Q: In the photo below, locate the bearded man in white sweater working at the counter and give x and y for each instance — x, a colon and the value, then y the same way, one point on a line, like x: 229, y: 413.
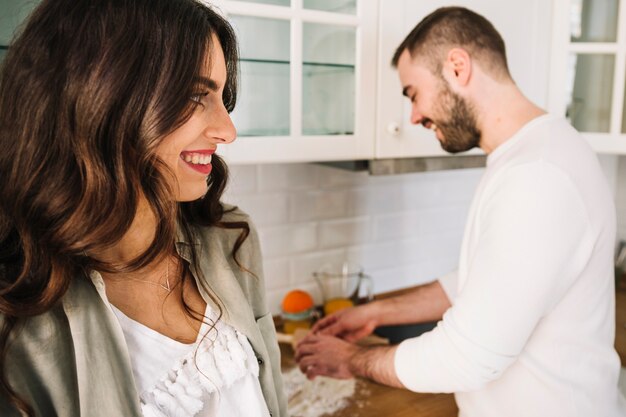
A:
x: 527, y: 321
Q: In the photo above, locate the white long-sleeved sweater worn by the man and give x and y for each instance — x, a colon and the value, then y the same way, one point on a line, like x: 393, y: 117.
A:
x: 531, y: 329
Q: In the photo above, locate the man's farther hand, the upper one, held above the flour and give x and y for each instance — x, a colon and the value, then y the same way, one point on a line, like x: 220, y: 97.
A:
x: 350, y: 324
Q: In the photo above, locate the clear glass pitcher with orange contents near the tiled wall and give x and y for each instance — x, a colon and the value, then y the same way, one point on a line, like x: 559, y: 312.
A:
x: 341, y: 285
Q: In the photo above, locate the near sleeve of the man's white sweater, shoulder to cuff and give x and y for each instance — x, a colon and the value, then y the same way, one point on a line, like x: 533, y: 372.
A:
x: 533, y: 239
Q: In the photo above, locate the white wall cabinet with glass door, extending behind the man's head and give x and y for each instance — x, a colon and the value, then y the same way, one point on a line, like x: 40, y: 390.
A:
x: 317, y: 84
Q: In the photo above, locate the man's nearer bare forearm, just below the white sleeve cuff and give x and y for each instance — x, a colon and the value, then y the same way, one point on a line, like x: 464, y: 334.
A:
x: 376, y: 363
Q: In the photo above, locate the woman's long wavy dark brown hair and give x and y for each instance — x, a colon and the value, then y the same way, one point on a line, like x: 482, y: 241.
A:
x: 88, y: 89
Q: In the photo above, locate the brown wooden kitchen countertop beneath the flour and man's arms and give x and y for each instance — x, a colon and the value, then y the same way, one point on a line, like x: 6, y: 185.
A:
x: 374, y: 400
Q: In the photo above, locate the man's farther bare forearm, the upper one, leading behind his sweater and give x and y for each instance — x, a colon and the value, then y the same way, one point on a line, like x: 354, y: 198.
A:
x: 425, y: 303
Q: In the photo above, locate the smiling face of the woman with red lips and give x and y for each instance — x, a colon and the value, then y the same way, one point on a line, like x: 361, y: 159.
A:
x: 187, y: 151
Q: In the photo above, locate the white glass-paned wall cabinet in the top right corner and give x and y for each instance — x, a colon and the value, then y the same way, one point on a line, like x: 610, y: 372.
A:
x: 589, y: 69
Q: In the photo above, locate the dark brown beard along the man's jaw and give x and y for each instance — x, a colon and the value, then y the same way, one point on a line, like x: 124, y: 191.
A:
x: 459, y: 131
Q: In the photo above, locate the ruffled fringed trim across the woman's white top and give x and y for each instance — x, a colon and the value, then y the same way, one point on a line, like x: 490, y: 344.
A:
x: 221, y: 358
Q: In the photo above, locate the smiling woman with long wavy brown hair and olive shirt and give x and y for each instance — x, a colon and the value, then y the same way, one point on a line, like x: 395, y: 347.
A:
x: 126, y: 287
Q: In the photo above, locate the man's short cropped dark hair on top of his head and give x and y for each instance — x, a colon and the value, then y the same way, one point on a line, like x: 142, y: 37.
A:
x: 449, y: 27
